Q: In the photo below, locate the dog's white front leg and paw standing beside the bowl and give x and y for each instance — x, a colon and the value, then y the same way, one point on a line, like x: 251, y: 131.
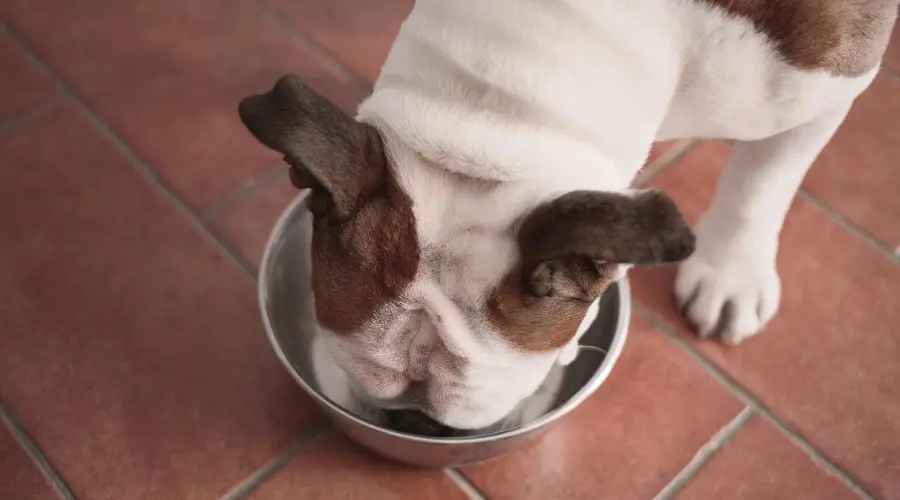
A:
x: 730, y: 287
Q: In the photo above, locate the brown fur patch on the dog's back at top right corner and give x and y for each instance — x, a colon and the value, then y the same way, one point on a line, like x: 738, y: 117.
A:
x: 842, y: 37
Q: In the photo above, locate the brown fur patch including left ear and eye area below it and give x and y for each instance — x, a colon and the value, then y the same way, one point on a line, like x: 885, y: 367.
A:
x: 365, y: 249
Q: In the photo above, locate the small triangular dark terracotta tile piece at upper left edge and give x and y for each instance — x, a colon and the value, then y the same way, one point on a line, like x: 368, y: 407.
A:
x: 23, y: 86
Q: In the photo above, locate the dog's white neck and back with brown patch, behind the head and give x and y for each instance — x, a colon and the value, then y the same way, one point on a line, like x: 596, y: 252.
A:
x: 618, y: 75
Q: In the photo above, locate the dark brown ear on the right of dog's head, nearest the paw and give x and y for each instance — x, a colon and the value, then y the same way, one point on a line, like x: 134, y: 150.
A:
x: 572, y: 245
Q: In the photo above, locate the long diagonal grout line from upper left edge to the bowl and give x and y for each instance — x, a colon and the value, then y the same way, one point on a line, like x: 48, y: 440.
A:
x: 139, y: 164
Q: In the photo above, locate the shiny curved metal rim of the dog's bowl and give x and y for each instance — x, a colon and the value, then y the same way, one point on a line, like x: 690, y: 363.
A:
x: 582, y: 394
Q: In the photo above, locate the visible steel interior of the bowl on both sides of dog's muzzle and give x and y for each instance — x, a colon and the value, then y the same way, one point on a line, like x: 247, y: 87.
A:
x: 288, y: 312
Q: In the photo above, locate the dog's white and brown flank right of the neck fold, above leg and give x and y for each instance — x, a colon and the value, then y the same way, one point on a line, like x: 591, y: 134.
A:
x: 752, y: 68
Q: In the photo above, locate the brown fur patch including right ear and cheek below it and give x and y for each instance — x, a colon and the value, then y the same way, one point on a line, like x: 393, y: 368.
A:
x: 570, y: 249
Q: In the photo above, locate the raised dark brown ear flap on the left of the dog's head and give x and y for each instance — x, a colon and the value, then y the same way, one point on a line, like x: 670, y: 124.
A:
x: 340, y: 159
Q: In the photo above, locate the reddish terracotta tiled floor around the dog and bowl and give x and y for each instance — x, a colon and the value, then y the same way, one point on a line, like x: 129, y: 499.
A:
x: 133, y: 364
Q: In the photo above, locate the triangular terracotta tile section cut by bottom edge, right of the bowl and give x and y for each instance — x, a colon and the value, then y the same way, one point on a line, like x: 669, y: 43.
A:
x: 760, y: 463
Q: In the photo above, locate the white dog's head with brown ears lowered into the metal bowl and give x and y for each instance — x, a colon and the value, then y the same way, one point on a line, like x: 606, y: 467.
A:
x: 451, y: 296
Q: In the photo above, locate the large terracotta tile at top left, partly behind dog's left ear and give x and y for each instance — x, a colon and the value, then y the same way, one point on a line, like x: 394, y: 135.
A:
x: 168, y: 75
